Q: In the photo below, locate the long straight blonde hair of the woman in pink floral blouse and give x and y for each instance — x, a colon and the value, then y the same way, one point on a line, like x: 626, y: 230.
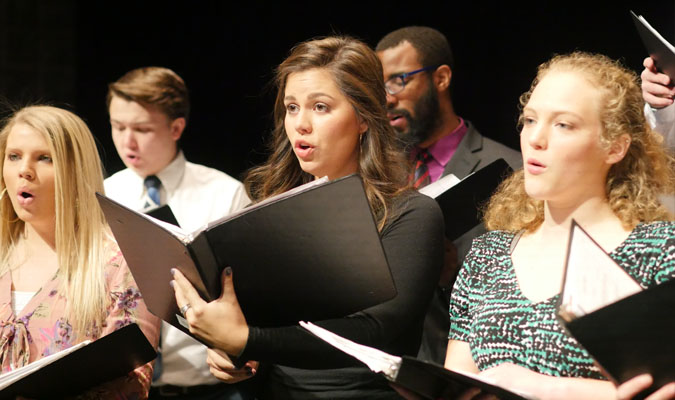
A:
x: 80, y: 229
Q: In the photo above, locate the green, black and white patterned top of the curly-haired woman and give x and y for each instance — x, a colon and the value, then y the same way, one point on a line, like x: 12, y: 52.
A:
x: 488, y: 310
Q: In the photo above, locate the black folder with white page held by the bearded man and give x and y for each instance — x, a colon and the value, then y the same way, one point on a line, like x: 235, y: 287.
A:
x: 461, y: 200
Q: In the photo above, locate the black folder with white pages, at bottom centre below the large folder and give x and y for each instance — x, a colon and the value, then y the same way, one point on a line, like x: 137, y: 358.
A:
x: 426, y: 379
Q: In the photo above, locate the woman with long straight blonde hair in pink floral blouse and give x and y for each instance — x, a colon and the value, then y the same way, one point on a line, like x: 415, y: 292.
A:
x: 62, y: 278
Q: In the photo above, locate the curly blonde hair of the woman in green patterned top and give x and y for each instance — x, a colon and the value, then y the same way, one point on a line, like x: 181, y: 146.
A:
x: 633, y: 185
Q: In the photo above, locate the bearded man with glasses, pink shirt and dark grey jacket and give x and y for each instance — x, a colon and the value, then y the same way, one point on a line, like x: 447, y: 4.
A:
x: 417, y: 63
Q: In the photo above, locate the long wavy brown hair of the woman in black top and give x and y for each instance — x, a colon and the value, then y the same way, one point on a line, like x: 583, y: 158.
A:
x: 357, y: 73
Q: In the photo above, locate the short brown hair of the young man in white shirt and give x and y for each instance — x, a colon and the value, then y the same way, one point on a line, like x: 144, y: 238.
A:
x: 154, y: 86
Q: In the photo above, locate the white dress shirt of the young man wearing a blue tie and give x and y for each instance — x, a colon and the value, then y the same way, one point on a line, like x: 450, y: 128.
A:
x: 197, y: 195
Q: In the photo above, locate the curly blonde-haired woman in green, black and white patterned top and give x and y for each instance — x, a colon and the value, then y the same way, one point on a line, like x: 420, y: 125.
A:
x: 588, y: 155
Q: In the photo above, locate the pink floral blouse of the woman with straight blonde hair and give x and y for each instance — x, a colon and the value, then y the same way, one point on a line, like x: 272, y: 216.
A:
x: 43, y: 328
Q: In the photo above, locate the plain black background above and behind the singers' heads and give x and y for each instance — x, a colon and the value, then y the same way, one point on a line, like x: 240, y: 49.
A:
x: 65, y: 52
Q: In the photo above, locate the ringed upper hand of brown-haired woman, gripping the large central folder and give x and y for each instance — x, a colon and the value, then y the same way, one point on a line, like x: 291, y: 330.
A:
x: 220, y: 323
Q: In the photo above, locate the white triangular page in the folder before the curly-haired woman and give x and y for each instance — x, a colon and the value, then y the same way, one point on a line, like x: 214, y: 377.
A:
x: 593, y: 280
